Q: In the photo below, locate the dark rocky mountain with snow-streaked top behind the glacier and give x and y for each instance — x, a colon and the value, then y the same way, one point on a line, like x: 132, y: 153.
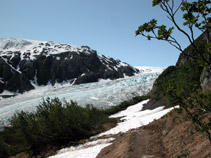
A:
x: 26, y: 63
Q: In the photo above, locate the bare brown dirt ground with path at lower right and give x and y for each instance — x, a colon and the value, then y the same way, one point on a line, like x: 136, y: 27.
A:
x: 172, y: 136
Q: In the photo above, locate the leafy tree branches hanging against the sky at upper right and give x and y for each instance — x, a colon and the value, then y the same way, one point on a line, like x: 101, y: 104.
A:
x: 196, y: 16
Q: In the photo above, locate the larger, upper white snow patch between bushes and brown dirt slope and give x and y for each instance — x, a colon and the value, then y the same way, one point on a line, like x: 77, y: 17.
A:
x: 133, y: 118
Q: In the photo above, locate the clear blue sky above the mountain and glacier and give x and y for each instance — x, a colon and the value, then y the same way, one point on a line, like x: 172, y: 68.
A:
x: 107, y: 26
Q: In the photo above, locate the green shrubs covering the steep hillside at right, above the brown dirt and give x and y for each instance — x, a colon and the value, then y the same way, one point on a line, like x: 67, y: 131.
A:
x: 181, y: 86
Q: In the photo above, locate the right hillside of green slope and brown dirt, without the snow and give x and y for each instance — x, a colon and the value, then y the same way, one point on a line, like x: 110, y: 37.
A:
x: 184, y: 132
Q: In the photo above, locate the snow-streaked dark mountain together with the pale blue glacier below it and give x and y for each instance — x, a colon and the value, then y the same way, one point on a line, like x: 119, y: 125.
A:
x: 48, y: 69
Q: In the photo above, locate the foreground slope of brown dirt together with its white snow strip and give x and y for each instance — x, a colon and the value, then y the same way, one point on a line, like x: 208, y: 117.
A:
x: 171, y: 136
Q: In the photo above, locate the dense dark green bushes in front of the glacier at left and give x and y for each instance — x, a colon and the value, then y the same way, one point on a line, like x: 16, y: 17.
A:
x: 55, y: 123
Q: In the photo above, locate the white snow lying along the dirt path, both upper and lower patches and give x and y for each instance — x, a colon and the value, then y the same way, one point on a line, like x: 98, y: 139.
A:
x: 132, y: 118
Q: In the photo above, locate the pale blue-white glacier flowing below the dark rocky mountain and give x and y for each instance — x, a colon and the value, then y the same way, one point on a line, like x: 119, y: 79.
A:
x: 102, y: 94
